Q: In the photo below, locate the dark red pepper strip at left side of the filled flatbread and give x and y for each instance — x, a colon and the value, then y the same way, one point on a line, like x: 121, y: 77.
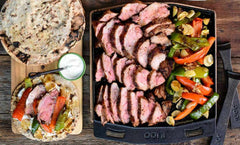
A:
x: 19, y: 111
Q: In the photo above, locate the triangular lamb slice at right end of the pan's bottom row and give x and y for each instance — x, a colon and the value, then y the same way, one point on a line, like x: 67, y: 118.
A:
x: 157, y: 116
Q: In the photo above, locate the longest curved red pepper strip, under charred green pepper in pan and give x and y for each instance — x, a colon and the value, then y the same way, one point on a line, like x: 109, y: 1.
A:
x: 196, y: 56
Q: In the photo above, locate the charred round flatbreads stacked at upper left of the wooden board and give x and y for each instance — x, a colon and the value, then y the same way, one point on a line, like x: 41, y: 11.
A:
x: 37, y: 32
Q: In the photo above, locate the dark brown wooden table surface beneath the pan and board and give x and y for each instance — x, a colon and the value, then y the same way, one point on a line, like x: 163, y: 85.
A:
x: 228, y: 29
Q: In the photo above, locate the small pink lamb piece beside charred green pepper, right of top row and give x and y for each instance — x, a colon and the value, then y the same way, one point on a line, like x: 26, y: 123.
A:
x: 160, y: 39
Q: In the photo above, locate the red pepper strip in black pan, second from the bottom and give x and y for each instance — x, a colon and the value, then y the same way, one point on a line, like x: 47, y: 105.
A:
x: 200, y: 99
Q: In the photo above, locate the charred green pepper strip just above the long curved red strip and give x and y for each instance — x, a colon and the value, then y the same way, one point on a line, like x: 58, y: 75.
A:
x: 192, y: 43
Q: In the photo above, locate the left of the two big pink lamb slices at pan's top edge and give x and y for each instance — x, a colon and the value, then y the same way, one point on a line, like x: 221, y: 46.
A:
x: 131, y: 9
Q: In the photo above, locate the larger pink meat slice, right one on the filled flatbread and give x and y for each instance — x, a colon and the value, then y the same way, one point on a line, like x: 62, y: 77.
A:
x: 46, y: 107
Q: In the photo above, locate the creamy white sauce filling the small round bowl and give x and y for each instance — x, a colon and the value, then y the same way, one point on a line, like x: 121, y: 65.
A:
x: 73, y: 64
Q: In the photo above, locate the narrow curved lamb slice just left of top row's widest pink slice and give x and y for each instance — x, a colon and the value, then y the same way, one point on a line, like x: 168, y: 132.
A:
x: 115, y: 38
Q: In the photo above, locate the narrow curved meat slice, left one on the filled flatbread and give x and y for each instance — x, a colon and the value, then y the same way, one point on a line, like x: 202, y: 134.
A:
x: 36, y: 93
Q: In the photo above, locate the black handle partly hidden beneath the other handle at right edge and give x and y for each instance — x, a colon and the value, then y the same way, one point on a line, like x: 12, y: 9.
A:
x: 225, y: 52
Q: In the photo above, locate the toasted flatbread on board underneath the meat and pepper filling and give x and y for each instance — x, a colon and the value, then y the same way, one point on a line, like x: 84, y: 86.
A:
x: 72, y: 102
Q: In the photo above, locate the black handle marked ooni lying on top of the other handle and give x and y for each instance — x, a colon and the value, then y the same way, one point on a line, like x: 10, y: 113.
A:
x: 233, y: 80
